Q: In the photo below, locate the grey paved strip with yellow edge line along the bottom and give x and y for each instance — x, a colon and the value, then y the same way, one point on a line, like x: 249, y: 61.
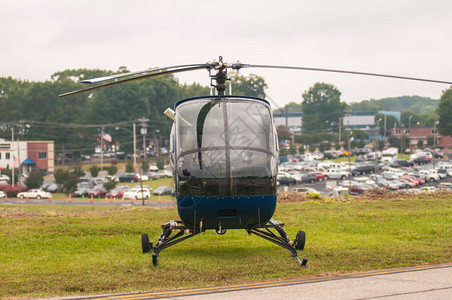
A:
x: 423, y: 282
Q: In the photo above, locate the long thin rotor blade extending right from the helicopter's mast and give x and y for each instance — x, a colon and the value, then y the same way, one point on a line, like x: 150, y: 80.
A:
x: 341, y: 71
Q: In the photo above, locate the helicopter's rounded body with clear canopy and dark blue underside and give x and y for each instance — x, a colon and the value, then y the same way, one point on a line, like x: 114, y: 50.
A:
x: 224, y: 151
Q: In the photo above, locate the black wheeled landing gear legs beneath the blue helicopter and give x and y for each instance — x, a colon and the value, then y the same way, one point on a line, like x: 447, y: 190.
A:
x: 166, y: 240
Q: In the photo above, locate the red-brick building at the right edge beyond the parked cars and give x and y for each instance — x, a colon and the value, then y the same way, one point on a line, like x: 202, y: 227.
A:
x: 428, y: 135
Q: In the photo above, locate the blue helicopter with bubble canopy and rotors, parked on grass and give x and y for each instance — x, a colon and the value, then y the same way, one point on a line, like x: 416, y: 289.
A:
x: 224, y: 154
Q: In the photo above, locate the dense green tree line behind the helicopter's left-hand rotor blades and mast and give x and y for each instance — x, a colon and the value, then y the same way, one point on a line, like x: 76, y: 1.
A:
x: 35, y: 112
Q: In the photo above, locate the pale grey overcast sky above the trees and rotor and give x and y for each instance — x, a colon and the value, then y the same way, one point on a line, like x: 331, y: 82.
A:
x: 408, y: 38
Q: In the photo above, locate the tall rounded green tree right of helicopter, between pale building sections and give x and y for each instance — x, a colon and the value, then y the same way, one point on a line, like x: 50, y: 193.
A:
x: 321, y: 103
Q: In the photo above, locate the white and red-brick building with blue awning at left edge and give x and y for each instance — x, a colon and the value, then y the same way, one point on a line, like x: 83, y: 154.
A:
x: 30, y: 154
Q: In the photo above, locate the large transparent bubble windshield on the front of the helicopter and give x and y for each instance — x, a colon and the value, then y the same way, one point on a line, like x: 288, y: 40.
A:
x: 225, y: 146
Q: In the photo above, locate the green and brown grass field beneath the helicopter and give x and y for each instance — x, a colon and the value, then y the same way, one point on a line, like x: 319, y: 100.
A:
x: 76, y: 251
